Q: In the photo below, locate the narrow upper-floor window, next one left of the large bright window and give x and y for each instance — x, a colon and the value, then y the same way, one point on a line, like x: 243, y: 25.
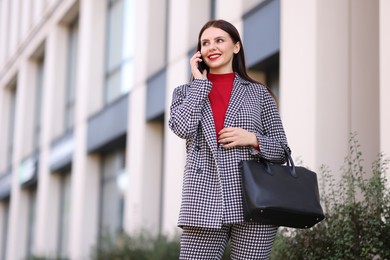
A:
x: 71, y: 76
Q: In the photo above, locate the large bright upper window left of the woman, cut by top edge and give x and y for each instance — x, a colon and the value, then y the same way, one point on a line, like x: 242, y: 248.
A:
x: 119, y: 49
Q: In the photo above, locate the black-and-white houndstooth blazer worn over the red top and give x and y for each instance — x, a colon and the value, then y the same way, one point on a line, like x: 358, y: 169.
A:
x: 211, y: 195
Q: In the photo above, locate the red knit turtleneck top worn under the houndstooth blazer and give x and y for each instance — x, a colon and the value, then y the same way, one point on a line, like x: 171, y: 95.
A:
x: 219, y: 97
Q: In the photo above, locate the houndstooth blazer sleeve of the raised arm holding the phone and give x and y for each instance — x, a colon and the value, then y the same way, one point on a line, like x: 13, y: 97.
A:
x: 186, y: 107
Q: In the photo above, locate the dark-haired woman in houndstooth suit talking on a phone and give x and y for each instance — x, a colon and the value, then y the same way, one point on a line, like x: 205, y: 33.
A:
x: 225, y: 117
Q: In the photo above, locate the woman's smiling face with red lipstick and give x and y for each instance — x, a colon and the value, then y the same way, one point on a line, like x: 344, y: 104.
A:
x: 218, y: 49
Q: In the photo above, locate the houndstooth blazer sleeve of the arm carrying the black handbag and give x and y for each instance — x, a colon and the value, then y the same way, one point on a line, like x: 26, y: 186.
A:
x: 272, y: 138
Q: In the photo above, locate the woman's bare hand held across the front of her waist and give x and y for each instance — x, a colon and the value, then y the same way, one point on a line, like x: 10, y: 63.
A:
x: 234, y: 136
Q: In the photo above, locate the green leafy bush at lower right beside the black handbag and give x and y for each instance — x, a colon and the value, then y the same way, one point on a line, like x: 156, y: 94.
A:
x: 357, y: 223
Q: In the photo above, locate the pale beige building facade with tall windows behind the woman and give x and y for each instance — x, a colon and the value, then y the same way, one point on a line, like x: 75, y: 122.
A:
x: 85, y: 90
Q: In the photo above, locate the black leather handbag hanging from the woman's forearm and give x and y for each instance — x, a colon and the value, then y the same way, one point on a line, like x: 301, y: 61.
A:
x: 280, y: 195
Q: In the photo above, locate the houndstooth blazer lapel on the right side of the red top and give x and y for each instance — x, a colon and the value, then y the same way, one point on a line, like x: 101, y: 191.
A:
x: 236, y: 100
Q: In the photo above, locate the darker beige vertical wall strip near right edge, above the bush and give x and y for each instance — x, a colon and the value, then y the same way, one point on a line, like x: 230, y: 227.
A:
x: 364, y: 77
